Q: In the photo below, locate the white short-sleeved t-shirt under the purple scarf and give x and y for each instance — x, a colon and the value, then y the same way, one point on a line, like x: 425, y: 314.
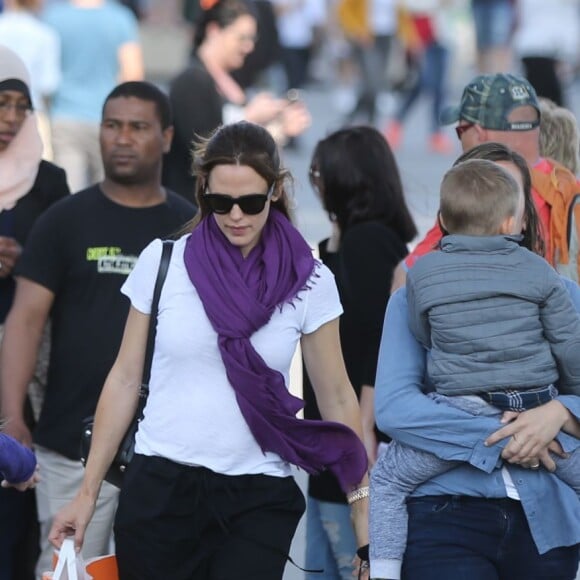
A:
x: 192, y: 416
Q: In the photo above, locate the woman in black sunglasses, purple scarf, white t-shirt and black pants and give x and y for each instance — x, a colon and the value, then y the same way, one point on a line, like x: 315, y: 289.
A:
x: 209, y: 493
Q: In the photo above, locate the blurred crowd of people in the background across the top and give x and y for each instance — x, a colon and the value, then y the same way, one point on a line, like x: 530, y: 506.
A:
x: 382, y: 56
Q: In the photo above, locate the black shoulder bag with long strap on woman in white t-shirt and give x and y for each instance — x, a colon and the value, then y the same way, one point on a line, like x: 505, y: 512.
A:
x: 126, y: 449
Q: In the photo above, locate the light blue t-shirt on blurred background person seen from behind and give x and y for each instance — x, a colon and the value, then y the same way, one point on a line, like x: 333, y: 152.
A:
x: 90, y: 40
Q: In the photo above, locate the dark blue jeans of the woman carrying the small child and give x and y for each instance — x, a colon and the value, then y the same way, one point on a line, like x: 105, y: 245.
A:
x: 467, y: 538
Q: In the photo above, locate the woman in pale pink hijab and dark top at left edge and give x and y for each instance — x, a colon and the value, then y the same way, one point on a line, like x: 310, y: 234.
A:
x: 28, y: 186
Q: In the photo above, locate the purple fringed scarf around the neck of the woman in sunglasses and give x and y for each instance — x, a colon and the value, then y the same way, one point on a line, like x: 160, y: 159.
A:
x: 239, y: 296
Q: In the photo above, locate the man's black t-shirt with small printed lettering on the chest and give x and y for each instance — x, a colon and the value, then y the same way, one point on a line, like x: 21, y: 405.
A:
x: 82, y: 249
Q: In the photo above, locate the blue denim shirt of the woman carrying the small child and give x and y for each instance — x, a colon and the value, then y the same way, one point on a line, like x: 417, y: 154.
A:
x: 402, y: 411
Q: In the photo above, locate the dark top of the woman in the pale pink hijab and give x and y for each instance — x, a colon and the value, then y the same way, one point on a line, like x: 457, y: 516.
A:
x: 50, y: 186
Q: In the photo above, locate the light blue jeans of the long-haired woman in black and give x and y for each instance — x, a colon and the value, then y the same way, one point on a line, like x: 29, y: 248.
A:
x: 330, y: 541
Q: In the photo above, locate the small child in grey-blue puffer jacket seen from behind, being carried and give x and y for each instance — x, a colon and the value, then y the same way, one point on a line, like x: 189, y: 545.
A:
x: 500, y: 329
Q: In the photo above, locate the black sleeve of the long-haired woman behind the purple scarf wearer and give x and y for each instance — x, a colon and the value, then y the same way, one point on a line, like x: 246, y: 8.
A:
x: 369, y: 254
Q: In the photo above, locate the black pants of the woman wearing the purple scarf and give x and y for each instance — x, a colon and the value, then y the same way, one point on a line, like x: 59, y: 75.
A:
x: 189, y: 523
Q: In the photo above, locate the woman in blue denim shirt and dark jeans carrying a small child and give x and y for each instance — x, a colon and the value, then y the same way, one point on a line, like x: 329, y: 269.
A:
x: 478, y: 521
